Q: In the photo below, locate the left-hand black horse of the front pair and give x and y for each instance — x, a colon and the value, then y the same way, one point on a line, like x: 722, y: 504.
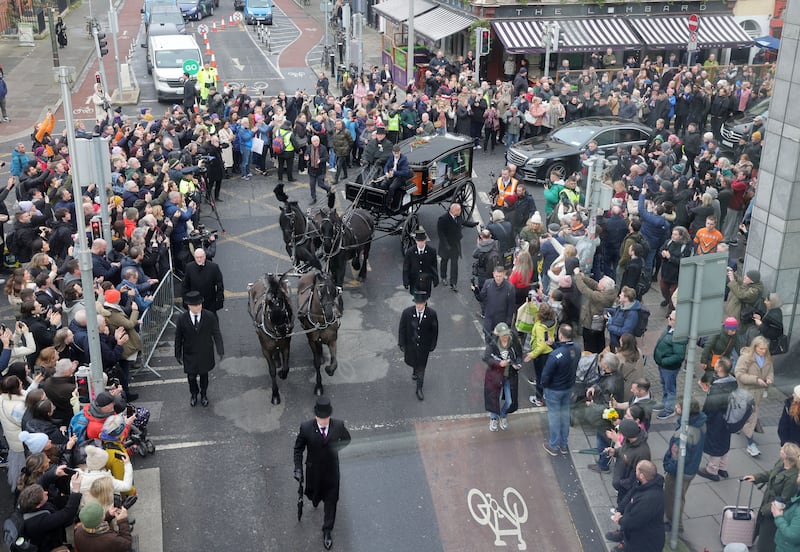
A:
x: 272, y: 314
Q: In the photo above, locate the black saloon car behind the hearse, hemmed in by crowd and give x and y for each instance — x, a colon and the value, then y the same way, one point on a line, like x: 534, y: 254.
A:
x: 536, y: 157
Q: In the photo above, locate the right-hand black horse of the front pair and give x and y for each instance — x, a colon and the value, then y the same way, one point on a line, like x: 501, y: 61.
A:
x: 319, y: 309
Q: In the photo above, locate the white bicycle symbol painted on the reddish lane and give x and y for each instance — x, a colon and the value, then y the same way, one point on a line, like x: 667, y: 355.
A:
x: 505, y: 520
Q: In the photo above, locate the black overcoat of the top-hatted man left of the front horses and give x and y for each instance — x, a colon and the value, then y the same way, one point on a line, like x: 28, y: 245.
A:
x: 195, y: 347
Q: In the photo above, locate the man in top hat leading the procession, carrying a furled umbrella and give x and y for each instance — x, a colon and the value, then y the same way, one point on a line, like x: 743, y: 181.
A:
x: 322, y: 438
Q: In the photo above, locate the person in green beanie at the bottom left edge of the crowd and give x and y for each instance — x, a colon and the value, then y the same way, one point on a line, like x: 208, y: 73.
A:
x: 95, y: 534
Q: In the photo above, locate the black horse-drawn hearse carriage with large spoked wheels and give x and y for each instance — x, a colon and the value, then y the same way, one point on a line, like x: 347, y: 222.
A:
x: 442, y: 167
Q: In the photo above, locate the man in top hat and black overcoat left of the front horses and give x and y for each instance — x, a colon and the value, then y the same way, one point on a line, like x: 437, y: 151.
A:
x: 196, y: 336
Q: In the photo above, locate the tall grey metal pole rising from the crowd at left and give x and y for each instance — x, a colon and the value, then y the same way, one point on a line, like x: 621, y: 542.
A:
x: 65, y: 77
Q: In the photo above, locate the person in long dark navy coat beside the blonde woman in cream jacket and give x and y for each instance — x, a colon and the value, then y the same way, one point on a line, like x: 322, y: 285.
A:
x: 718, y: 435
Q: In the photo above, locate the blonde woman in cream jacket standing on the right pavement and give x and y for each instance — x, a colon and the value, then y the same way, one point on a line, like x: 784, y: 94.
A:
x: 754, y: 372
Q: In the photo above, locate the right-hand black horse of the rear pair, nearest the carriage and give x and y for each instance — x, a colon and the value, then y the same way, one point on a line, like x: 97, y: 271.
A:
x: 343, y: 238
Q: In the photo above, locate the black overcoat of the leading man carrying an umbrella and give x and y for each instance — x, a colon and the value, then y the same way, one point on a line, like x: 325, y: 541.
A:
x: 322, y: 458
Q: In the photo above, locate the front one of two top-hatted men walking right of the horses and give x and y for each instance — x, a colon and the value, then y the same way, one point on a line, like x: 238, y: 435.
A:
x: 417, y: 336
